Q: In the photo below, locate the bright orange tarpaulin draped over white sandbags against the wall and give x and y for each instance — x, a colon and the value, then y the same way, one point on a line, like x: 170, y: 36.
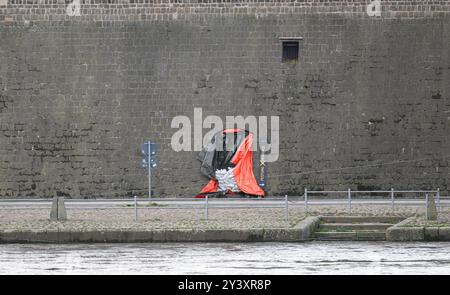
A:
x: 243, y: 170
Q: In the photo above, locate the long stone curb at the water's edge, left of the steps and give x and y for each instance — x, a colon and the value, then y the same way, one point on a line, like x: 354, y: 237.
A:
x: 301, y: 232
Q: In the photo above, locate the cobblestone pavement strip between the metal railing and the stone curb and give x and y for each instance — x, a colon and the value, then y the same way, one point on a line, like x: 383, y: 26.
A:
x: 154, y: 218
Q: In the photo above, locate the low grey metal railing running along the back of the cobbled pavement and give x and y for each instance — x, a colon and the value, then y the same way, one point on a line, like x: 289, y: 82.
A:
x: 345, y: 197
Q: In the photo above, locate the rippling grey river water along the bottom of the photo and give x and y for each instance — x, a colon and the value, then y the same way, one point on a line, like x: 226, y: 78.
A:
x: 227, y: 258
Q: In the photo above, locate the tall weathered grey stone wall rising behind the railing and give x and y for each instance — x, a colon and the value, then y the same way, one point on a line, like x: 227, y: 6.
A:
x: 78, y: 94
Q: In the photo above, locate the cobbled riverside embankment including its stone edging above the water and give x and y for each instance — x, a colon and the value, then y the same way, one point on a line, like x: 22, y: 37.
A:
x: 183, y: 225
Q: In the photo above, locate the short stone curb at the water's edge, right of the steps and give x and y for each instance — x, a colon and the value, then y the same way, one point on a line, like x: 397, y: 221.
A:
x: 401, y: 233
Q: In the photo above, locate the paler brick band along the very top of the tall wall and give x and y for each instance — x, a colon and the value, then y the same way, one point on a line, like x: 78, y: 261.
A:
x: 133, y: 10
